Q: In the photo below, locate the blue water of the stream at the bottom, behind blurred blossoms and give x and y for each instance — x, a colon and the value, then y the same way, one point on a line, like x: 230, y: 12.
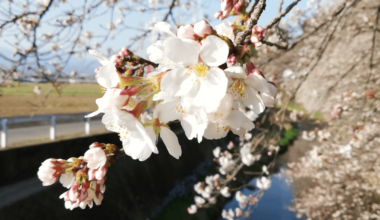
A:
x: 273, y: 204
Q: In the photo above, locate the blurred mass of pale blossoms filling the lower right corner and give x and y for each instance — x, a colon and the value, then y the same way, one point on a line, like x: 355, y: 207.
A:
x: 343, y: 168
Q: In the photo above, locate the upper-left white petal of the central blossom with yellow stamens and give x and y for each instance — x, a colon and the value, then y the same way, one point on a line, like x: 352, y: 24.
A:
x: 181, y: 51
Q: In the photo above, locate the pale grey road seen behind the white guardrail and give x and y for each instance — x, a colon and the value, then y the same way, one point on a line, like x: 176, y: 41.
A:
x: 42, y: 131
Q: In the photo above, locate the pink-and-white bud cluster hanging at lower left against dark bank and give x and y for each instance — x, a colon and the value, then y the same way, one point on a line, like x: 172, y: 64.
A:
x: 84, y: 176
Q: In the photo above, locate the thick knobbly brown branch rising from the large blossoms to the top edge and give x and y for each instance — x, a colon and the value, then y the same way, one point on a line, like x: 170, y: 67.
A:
x: 252, y: 21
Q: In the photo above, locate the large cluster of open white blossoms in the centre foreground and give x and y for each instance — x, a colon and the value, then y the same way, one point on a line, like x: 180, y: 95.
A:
x: 193, y: 83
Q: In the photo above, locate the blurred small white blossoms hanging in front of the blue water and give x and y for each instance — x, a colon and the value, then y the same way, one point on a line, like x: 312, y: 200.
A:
x: 231, y: 161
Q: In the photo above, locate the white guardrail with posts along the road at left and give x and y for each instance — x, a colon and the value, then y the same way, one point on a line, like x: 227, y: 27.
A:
x: 40, y: 118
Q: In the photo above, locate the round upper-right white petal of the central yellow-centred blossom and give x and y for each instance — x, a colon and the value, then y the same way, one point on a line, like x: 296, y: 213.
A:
x: 214, y: 51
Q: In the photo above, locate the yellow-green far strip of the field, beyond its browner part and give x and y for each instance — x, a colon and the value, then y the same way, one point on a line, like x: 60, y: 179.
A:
x: 67, y: 89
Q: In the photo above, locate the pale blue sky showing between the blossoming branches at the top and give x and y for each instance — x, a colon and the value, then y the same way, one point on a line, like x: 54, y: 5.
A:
x: 137, y: 20
